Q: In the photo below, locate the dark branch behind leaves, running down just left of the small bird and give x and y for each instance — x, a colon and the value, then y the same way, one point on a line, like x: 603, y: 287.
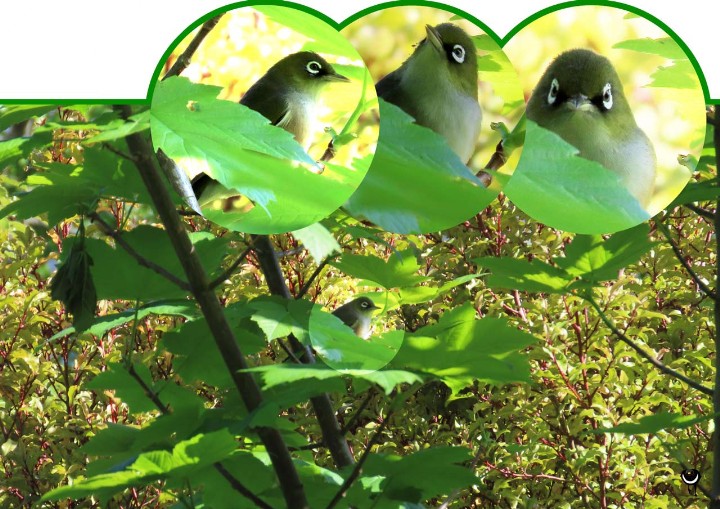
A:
x: 336, y: 443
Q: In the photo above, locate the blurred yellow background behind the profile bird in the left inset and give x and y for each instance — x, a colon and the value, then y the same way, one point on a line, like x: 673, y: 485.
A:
x: 246, y: 43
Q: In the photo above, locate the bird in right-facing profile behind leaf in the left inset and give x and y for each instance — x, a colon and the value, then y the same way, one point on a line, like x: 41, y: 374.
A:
x: 287, y: 95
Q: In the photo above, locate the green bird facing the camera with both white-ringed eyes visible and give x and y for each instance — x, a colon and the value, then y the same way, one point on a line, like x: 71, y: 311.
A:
x: 581, y: 99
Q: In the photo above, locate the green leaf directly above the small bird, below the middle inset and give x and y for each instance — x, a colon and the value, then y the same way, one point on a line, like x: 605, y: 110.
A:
x: 401, y: 269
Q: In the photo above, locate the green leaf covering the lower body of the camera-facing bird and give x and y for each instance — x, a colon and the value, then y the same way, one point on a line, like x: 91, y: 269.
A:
x: 553, y: 185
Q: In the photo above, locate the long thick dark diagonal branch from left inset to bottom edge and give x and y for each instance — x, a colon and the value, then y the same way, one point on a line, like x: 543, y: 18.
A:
x: 141, y: 150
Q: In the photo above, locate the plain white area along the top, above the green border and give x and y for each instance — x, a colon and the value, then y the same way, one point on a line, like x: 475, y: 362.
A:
x: 90, y: 49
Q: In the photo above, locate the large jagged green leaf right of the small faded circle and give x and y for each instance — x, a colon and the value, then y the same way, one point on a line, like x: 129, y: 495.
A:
x: 459, y: 349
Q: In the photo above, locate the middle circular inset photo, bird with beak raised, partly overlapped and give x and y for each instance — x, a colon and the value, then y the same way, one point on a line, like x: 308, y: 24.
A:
x: 450, y: 131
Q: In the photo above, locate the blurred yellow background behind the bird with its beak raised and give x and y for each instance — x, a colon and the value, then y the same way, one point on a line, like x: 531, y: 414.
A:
x: 386, y: 38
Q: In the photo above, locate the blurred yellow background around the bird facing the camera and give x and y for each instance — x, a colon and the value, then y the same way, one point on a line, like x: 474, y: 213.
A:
x: 674, y: 119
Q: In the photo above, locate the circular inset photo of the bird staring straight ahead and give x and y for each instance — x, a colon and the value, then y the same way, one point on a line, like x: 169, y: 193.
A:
x: 615, y: 117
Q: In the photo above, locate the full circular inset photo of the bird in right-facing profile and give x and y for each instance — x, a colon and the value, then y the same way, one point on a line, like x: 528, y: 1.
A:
x: 258, y: 108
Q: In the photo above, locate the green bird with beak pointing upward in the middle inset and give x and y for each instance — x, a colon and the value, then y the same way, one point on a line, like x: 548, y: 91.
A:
x: 438, y: 86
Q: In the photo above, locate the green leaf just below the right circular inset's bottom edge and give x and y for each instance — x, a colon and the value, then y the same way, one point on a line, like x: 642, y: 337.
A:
x: 596, y: 259
